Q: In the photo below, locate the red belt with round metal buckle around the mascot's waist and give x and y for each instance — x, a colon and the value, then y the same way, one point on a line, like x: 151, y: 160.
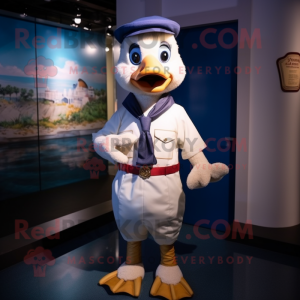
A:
x: 146, y: 172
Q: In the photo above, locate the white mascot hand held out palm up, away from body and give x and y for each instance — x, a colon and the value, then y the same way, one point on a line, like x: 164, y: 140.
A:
x: 203, y: 172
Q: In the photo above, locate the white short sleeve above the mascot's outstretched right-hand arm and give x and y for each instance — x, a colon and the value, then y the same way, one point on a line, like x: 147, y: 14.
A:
x: 189, y: 139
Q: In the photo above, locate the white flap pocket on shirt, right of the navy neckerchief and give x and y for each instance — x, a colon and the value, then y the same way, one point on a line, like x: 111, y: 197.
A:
x: 164, y: 143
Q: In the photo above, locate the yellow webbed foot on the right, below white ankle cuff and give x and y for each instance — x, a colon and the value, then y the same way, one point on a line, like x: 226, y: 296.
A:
x: 171, y: 291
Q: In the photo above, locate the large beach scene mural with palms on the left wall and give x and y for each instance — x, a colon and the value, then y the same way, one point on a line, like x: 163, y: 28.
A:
x: 52, y: 97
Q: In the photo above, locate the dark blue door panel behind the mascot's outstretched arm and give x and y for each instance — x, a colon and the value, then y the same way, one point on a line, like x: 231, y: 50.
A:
x: 209, y: 95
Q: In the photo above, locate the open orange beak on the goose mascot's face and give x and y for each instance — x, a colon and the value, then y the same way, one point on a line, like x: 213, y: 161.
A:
x: 151, y: 76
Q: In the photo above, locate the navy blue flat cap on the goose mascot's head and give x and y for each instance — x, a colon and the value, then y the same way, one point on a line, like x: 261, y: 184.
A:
x: 147, y: 24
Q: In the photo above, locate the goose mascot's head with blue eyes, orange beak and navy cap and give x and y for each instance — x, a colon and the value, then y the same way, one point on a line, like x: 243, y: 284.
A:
x: 149, y: 63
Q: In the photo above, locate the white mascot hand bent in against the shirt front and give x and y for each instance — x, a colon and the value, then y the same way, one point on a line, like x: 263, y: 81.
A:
x: 115, y: 147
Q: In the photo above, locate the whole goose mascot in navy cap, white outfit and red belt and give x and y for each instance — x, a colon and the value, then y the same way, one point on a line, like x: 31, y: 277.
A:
x: 143, y: 136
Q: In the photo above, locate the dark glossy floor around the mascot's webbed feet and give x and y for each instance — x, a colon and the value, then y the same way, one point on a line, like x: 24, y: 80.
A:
x: 214, y: 268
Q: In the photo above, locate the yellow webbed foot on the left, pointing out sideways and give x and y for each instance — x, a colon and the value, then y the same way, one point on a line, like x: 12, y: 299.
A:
x: 117, y: 285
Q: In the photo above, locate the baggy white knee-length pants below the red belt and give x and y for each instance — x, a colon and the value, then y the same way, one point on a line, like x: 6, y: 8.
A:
x: 155, y: 205
